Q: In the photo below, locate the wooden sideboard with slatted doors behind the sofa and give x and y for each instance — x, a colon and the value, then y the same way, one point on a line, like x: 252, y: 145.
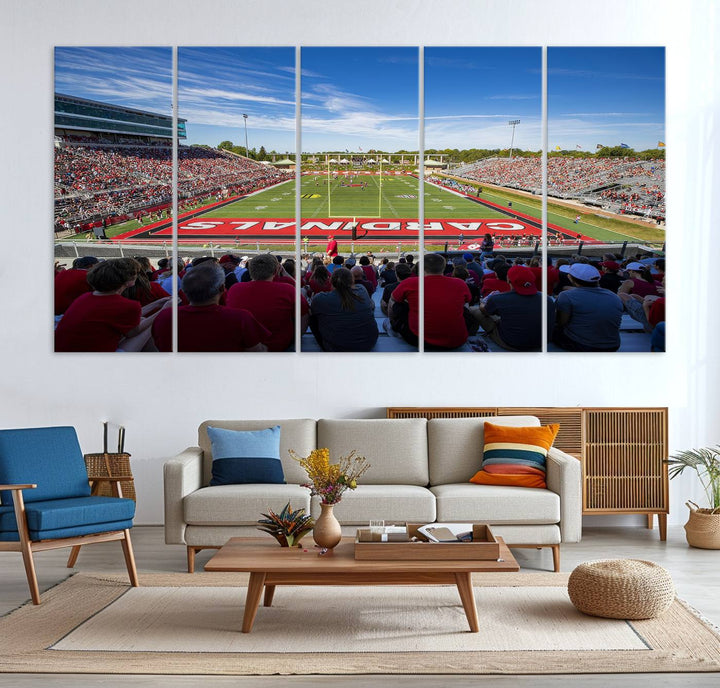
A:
x: 622, y: 451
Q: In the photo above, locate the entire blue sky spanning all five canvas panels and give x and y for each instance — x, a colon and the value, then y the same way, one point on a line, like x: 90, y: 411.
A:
x: 355, y: 98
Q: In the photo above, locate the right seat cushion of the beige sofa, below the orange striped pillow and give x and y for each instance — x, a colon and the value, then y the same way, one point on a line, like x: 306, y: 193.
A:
x: 496, y: 504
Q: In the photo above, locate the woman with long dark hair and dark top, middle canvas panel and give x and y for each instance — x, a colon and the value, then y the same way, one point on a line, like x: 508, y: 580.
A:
x: 343, y: 319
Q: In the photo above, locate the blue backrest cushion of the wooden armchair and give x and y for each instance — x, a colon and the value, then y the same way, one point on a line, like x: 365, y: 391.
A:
x: 48, y: 457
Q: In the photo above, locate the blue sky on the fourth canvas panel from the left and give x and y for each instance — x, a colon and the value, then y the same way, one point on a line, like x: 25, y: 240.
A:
x: 472, y: 93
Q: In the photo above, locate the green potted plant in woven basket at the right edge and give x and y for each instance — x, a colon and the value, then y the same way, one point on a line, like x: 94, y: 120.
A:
x: 703, y: 527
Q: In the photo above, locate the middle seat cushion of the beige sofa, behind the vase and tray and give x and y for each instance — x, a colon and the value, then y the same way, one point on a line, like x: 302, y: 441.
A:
x: 382, y: 502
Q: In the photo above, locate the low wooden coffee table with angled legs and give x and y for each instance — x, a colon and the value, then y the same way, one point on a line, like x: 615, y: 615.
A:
x: 270, y: 565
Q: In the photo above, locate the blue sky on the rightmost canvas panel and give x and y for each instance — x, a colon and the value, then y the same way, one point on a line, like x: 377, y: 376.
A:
x: 606, y: 96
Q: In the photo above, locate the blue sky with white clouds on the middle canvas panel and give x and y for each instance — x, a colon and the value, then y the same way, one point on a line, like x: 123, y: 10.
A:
x: 359, y: 98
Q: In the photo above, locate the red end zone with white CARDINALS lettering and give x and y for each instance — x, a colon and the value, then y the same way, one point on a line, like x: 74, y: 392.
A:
x: 368, y: 230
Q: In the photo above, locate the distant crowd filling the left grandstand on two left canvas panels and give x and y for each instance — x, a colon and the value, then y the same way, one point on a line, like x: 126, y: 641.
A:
x: 93, y: 183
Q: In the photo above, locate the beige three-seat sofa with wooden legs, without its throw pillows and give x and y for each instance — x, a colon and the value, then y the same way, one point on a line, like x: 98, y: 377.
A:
x: 419, y: 472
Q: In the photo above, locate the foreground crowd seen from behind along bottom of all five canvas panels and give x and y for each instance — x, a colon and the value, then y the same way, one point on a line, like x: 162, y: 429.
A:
x: 238, y: 303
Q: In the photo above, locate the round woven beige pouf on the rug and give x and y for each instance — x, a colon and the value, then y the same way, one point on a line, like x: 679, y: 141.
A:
x: 621, y: 589
